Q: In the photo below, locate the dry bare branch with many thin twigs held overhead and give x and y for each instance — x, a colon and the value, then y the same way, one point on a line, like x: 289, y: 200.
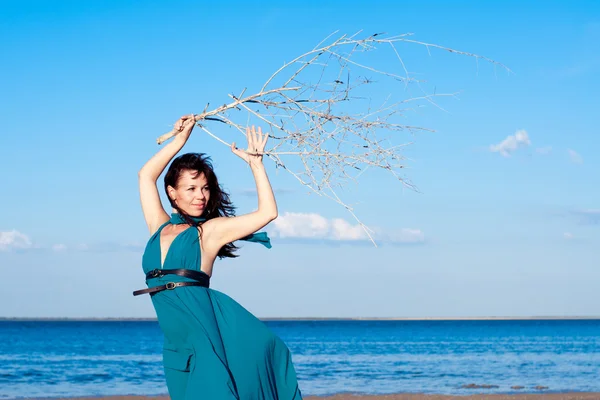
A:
x: 318, y: 109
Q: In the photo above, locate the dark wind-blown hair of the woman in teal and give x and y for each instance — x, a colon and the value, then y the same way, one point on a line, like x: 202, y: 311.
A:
x: 219, y: 204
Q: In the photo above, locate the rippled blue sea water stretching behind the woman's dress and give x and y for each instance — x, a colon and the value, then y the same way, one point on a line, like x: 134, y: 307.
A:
x: 70, y: 358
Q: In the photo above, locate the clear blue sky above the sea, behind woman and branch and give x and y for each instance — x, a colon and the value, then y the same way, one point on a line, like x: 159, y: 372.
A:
x: 506, y: 221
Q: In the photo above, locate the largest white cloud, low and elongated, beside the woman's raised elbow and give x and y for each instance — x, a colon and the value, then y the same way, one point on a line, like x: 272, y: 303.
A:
x: 314, y: 226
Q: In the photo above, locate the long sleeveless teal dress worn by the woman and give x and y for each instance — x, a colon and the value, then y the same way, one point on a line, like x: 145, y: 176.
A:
x: 214, y: 349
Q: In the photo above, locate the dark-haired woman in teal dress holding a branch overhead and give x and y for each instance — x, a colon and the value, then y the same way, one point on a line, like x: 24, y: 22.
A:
x: 214, y: 349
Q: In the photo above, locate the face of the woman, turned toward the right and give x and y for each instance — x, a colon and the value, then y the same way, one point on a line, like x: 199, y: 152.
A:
x: 191, y: 194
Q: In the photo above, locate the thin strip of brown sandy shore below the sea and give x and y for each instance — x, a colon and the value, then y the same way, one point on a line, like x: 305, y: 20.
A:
x: 400, y: 396
